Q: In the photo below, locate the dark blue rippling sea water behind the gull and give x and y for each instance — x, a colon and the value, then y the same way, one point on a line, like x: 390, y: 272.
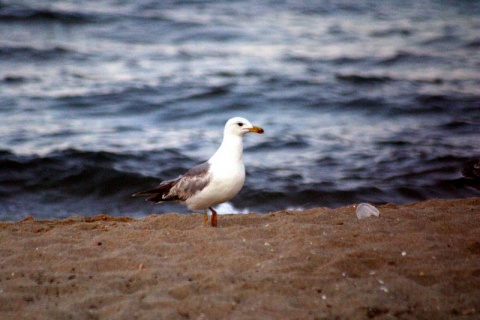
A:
x: 361, y: 101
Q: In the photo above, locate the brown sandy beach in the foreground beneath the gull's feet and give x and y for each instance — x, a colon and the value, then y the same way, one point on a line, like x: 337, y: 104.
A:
x: 418, y: 261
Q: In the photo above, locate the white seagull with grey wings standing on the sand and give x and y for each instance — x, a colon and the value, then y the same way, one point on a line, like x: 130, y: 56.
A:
x: 213, y: 182
